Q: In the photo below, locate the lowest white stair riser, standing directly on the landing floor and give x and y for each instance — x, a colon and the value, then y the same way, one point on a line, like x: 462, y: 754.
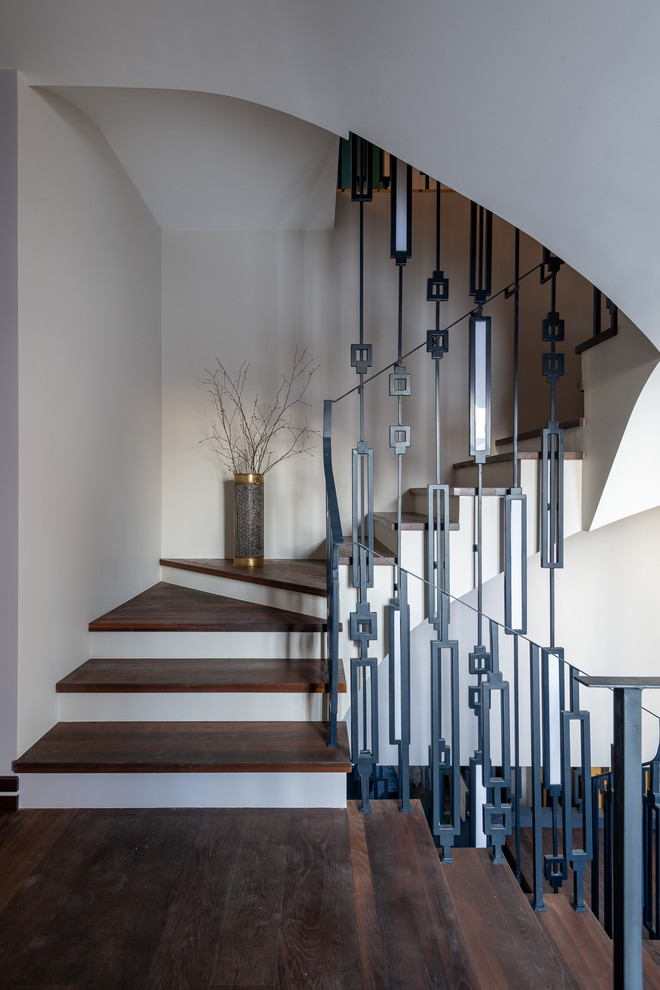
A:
x: 183, y: 790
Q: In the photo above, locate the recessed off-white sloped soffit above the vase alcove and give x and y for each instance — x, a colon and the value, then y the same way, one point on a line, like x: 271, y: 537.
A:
x: 207, y: 162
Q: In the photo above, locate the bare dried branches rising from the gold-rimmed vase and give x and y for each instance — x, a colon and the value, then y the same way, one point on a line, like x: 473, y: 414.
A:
x: 250, y: 436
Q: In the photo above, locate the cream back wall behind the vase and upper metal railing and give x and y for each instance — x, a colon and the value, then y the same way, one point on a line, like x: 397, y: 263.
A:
x: 243, y: 295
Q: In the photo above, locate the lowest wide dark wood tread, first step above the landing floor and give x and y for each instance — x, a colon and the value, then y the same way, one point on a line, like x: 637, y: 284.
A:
x: 180, y: 747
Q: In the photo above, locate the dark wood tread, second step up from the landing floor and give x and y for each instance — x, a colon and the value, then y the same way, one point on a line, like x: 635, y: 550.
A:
x: 216, y: 674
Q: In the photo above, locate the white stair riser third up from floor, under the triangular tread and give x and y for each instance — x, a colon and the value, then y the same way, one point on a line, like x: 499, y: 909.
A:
x: 166, y: 645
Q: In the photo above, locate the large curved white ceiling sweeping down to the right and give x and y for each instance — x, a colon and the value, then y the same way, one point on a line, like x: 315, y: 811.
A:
x: 543, y: 112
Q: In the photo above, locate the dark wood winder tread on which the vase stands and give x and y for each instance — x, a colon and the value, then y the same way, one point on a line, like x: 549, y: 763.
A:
x: 307, y: 576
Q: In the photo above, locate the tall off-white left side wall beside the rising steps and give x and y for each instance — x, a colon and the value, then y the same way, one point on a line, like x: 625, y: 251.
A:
x: 89, y: 394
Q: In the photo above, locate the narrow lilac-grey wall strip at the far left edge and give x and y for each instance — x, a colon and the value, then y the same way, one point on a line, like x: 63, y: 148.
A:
x: 8, y: 416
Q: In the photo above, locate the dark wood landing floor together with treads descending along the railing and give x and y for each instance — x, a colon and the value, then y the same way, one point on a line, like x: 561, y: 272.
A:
x: 201, y: 899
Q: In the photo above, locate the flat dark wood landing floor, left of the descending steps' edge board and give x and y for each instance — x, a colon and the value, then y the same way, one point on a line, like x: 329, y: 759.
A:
x: 181, y: 899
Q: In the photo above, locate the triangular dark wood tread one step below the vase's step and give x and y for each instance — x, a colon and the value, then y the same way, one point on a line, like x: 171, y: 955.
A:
x: 169, y: 607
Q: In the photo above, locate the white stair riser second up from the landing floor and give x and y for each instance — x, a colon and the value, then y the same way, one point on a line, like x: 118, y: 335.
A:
x: 191, y: 707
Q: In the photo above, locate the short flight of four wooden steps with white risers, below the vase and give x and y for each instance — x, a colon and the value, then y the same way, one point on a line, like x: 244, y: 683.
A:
x: 197, y: 698
